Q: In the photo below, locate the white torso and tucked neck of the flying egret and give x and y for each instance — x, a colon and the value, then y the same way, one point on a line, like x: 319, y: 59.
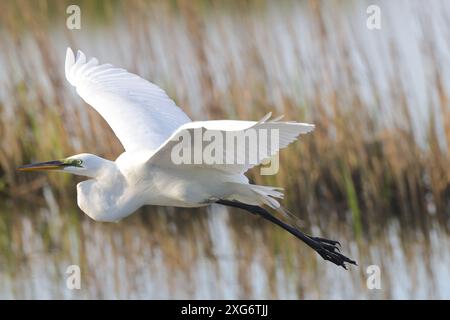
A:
x: 123, y: 186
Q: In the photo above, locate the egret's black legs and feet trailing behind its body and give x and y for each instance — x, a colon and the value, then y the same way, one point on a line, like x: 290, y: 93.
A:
x: 327, y: 249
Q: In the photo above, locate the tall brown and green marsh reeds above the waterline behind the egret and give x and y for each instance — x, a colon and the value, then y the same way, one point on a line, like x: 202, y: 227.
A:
x: 376, y: 152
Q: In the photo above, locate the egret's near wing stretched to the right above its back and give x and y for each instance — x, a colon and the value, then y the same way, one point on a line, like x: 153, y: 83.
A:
x: 244, y: 155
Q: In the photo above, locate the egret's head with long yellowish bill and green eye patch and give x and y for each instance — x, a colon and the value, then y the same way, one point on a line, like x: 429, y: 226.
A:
x: 83, y: 164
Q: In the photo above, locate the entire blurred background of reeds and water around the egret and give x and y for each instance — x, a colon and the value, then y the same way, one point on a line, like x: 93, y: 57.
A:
x: 374, y: 174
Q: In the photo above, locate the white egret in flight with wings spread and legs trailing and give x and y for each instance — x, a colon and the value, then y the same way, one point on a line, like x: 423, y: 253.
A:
x: 145, y: 120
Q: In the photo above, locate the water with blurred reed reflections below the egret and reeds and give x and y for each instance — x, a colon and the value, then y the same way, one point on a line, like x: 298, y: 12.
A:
x: 163, y: 253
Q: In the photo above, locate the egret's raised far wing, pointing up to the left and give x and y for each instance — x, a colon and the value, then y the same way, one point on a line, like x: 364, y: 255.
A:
x: 140, y: 113
